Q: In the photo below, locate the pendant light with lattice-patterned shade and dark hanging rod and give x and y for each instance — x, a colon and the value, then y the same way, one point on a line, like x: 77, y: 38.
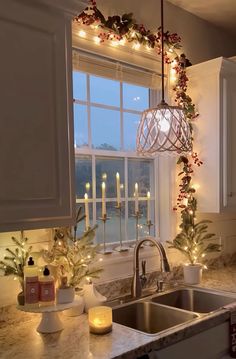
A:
x: 163, y: 128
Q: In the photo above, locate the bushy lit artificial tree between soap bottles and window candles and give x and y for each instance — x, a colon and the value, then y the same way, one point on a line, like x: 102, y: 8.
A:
x: 74, y: 255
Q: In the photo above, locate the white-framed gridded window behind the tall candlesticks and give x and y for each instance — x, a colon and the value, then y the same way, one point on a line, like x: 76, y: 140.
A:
x: 106, y: 115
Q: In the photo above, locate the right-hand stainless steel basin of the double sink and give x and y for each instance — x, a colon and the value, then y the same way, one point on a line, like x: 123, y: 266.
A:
x: 194, y: 300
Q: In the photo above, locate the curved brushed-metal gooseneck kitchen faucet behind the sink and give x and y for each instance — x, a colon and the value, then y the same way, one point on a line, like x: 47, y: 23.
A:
x: 136, y: 289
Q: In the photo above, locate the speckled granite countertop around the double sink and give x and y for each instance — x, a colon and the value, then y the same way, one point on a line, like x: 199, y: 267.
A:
x: 19, y: 339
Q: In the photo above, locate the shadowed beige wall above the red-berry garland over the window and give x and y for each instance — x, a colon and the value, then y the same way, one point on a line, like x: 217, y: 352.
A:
x: 201, y: 41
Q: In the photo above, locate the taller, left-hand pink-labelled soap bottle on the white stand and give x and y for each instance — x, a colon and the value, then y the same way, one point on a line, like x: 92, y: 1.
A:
x: 31, y: 284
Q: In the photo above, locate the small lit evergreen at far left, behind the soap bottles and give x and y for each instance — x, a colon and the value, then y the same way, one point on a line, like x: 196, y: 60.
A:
x: 15, y: 260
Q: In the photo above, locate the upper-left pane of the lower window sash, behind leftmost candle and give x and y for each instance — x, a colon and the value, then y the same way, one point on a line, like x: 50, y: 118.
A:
x: 83, y: 175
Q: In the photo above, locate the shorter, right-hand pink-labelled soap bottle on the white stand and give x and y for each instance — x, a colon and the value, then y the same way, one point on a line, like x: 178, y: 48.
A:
x: 46, y: 288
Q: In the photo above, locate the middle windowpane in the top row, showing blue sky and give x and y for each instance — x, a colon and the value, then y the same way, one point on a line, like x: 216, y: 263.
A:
x: 104, y: 91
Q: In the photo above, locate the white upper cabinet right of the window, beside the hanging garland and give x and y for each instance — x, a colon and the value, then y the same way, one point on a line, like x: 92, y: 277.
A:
x: 212, y: 86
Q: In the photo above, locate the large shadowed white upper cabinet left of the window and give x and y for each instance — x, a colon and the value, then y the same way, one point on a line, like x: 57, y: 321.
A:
x: 36, y: 129
